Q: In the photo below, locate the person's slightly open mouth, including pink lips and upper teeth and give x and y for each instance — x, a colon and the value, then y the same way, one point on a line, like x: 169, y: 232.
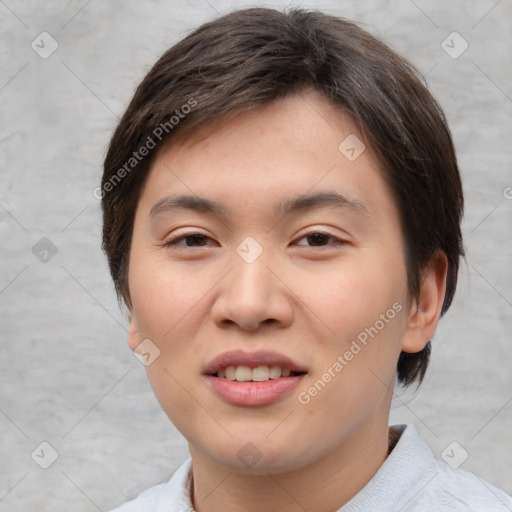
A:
x: 253, y: 378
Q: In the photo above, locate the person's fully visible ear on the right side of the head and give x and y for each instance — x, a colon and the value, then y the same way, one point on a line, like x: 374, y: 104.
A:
x: 426, y: 310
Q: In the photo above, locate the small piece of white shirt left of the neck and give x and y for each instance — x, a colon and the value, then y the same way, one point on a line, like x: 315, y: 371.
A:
x: 172, y: 495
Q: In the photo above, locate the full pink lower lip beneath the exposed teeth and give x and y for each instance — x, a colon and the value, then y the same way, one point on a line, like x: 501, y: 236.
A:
x: 252, y: 394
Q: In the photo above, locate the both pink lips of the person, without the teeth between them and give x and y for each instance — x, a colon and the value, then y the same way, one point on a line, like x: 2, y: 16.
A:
x: 252, y: 394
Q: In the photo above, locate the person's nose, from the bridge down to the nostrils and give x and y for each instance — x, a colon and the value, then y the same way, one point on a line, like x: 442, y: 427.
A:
x: 252, y: 295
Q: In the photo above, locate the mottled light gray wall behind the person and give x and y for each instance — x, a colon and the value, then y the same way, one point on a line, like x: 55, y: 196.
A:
x: 67, y: 376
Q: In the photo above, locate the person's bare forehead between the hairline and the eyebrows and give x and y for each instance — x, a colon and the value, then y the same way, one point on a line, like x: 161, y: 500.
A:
x: 293, y: 146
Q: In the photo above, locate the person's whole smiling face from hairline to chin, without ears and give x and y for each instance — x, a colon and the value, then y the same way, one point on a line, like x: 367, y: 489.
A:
x: 302, y: 302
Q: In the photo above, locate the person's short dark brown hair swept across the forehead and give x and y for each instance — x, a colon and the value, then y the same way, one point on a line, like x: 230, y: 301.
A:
x: 250, y: 57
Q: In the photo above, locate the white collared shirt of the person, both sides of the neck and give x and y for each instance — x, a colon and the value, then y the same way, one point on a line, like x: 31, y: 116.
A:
x: 409, y: 480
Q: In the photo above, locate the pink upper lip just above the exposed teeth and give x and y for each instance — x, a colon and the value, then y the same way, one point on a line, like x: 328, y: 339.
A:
x: 251, y: 359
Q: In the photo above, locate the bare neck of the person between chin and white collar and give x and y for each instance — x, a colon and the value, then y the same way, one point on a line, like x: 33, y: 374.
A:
x: 336, y: 477
